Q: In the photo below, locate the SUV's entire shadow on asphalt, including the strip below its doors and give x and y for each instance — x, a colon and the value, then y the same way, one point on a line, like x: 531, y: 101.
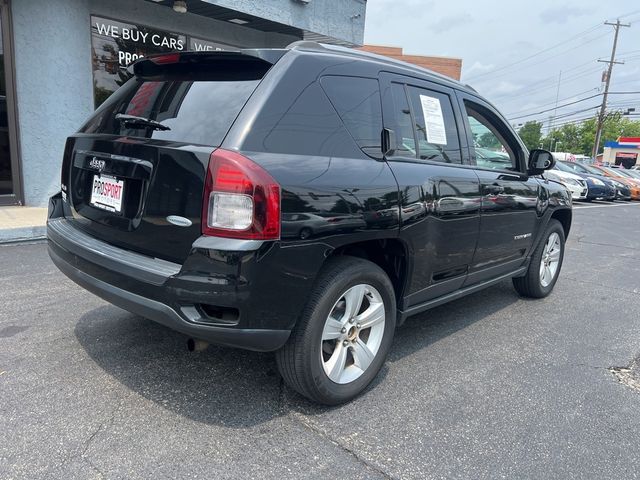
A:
x: 236, y: 388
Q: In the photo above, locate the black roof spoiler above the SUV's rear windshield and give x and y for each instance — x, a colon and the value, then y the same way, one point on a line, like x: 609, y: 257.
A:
x: 251, y: 63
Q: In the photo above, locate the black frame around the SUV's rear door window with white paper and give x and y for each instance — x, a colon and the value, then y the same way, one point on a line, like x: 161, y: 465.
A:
x: 388, y: 115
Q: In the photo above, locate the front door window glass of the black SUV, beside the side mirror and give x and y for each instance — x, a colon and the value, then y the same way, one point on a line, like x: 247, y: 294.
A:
x: 491, y: 148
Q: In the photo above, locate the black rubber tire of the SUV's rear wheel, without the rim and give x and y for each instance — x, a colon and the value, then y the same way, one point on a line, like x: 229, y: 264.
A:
x: 300, y: 360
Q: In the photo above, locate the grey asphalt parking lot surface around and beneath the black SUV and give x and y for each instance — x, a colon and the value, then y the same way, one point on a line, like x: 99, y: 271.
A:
x: 490, y: 386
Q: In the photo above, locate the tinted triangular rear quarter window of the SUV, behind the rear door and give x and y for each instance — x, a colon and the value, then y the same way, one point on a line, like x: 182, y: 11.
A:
x: 357, y: 101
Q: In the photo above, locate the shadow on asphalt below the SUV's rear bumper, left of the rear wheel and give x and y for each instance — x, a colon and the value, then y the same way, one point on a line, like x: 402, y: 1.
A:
x: 224, y: 386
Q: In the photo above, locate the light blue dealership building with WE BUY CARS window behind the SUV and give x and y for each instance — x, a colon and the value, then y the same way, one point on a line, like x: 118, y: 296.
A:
x: 61, y: 58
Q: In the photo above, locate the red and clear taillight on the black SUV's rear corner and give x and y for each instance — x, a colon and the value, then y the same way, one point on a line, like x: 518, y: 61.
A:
x: 241, y: 200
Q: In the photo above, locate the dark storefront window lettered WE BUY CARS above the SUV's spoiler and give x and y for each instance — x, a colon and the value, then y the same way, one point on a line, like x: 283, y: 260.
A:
x: 115, y: 45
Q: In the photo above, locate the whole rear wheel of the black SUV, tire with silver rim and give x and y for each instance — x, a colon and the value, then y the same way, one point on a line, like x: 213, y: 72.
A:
x: 343, y: 337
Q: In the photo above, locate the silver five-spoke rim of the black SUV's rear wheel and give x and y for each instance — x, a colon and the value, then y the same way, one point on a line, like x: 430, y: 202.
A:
x: 352, y: 334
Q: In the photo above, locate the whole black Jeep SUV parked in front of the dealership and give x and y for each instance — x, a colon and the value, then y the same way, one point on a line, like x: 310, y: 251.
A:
x: 304, y: 200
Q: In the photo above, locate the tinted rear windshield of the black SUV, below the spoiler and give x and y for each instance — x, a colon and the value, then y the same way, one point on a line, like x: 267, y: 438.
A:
x: 200, y: 111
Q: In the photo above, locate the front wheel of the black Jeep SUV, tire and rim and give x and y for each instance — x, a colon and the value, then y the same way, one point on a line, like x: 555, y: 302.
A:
x: 545, y: 265
